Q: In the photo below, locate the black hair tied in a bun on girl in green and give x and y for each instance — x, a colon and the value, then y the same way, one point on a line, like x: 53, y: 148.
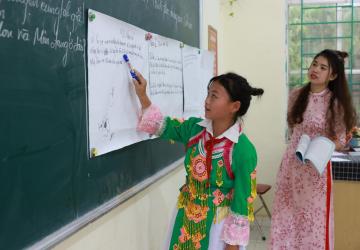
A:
x: 238, y: 89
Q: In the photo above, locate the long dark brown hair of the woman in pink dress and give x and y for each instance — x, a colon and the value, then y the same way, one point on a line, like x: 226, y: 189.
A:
x: 340, y: 92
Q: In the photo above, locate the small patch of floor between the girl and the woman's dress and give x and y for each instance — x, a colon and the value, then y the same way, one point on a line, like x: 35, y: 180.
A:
x: 256, y: 242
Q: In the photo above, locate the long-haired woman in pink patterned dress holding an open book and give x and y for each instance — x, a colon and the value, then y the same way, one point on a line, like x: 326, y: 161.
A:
x: 302, y: 212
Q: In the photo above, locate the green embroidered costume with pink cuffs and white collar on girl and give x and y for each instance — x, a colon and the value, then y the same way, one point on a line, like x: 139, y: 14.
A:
x: 220, y: 182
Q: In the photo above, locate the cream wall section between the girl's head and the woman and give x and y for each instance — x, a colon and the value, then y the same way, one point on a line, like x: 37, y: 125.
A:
x: 254, y: 46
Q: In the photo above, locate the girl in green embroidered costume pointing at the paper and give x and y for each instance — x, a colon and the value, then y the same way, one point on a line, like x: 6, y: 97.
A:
x: 215, y: 203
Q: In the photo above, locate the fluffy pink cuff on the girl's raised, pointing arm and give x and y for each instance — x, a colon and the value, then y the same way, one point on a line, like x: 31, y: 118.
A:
x: 151, y: 120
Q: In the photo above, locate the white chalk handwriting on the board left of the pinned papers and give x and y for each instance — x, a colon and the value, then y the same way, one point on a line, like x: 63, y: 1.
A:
x: 49, y: 34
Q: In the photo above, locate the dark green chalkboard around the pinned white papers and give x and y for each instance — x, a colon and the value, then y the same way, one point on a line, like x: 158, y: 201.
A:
x: 46, y: 178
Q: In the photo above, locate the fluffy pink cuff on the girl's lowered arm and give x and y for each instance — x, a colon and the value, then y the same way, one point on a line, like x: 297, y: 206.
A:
x: 236, y: 230
